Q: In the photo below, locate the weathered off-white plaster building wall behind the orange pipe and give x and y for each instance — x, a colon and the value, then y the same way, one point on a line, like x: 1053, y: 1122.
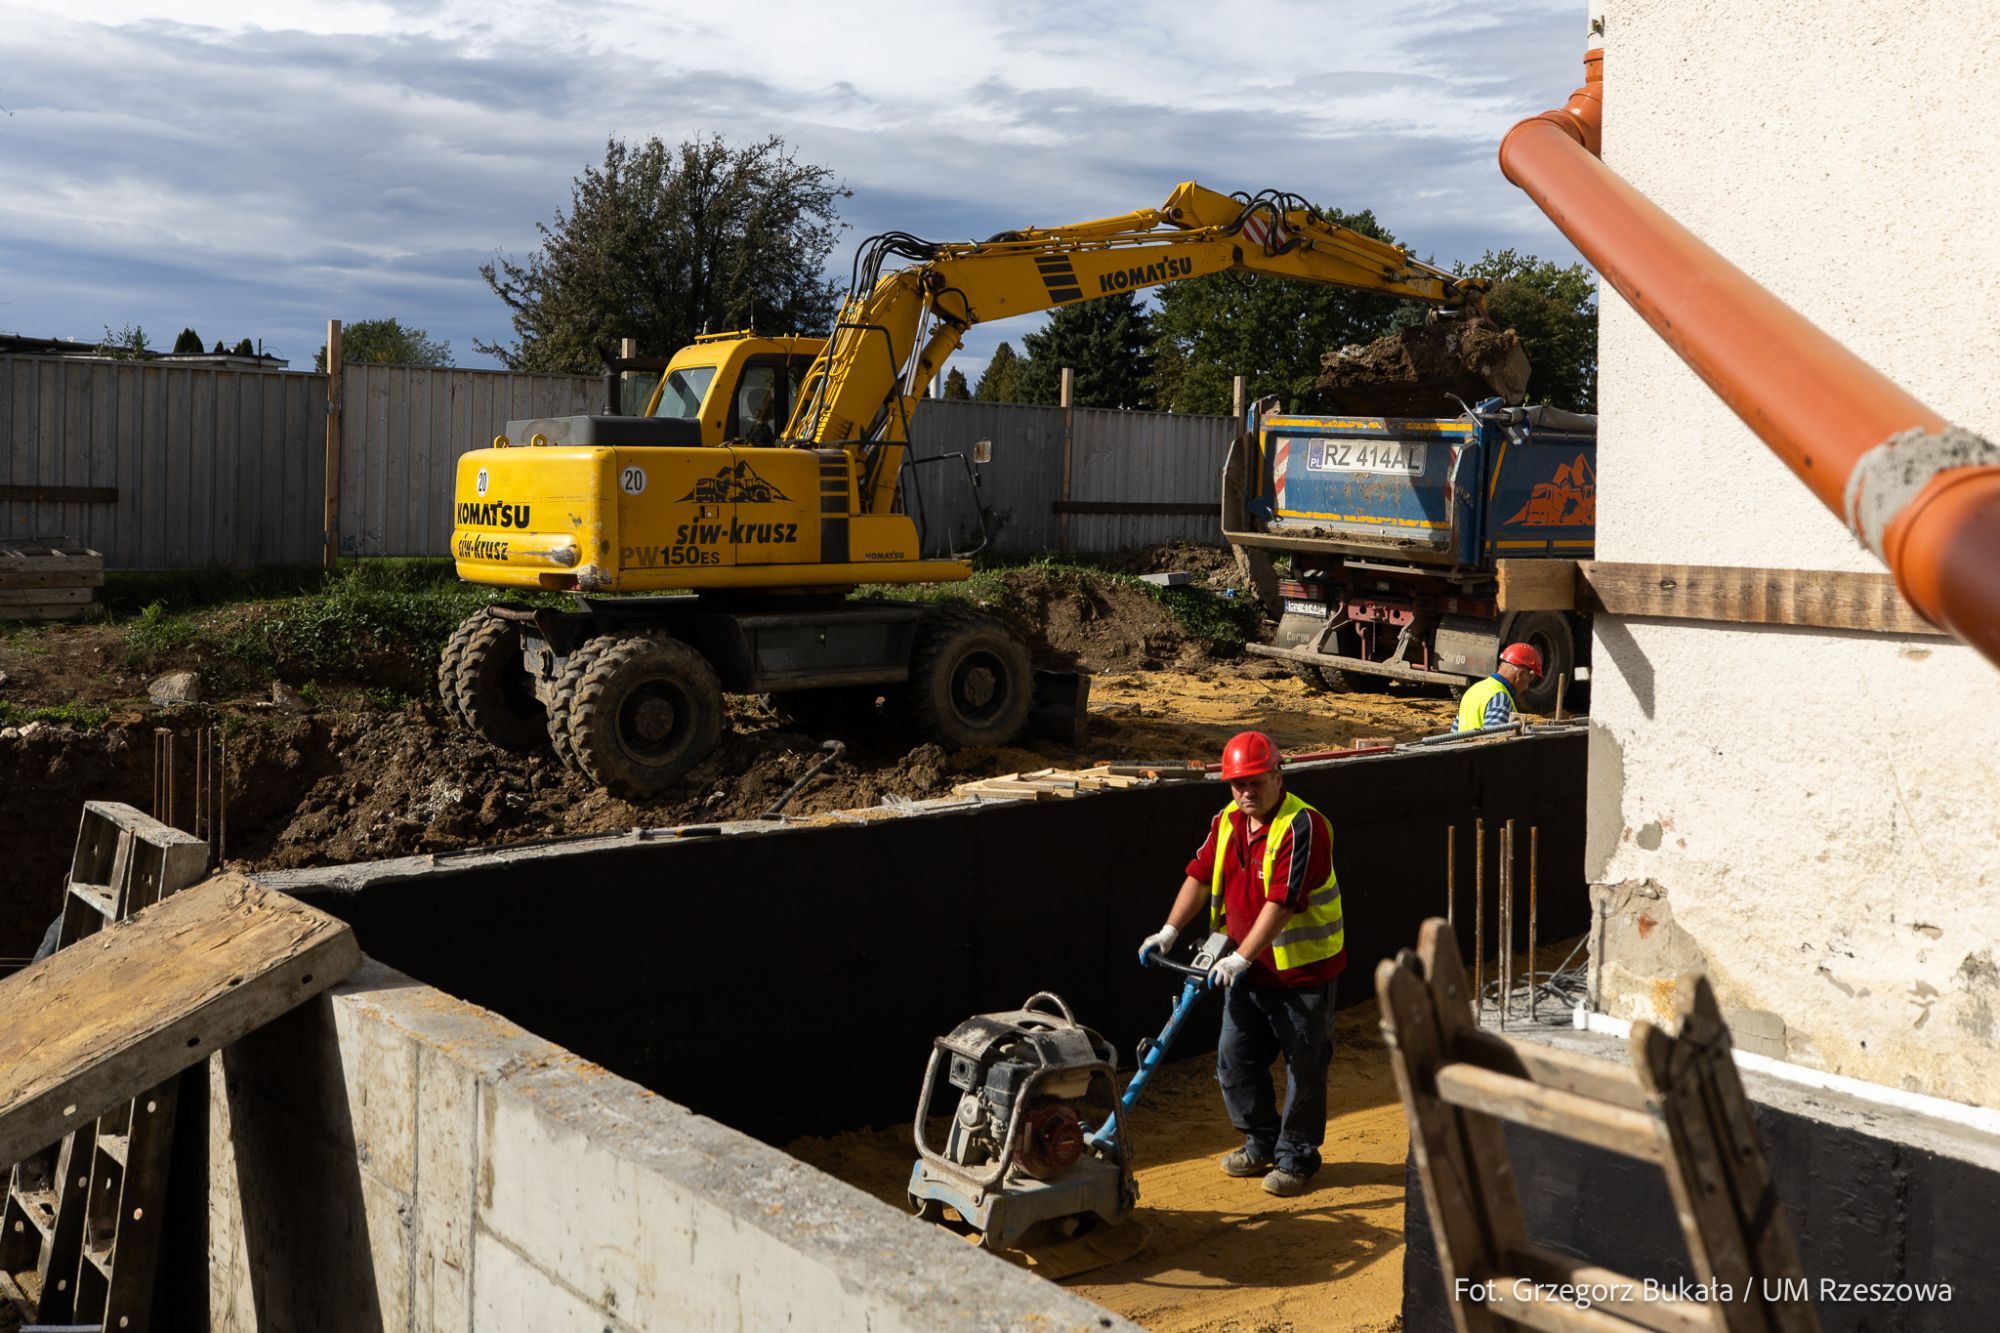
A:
x: 1817, y: 812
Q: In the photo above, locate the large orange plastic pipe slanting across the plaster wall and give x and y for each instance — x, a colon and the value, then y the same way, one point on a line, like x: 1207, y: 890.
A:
x: 1923, y: 495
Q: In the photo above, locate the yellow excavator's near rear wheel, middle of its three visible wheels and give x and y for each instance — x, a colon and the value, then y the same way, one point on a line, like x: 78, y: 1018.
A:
x: 645, y: 712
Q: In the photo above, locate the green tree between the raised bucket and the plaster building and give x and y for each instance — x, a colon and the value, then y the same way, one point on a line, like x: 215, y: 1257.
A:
x: 1555, y: 311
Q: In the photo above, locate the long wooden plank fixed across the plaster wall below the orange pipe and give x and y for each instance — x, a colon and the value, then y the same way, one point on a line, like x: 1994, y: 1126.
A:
x: 1809, y: 597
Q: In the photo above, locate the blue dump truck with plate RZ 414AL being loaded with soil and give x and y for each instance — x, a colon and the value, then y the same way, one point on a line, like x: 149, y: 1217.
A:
x: 1395, y: 531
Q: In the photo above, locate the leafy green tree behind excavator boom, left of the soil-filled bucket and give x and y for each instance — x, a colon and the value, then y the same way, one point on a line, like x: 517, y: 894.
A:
x: 1271, y: 331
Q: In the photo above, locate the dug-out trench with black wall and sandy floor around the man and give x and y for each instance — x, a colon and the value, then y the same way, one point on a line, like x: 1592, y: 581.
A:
x: 791, y: 984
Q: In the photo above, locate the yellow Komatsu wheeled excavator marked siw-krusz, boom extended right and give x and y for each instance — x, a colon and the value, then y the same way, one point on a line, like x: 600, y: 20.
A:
x: 763, y: 485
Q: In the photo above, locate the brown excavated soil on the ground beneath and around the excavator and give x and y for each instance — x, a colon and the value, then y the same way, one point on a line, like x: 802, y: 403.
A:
x: 351, y: 780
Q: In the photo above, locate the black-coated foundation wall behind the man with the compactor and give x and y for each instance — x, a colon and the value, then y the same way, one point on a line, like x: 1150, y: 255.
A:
x: 793, y: 982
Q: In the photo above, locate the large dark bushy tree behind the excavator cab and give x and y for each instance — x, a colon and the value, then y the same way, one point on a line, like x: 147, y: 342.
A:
x: 667, y: 243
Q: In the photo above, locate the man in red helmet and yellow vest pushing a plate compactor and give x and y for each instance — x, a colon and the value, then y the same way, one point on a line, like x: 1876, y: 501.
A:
x: 1267, y: 878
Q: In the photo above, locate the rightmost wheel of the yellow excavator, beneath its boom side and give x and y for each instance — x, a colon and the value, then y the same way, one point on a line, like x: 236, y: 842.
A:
x: 969, y: 682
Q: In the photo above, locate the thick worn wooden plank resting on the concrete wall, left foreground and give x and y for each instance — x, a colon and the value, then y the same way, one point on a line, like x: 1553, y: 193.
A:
x: 153, y: 996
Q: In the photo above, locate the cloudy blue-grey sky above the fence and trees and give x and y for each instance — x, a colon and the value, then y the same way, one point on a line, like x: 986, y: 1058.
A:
x: 259, y: 169
